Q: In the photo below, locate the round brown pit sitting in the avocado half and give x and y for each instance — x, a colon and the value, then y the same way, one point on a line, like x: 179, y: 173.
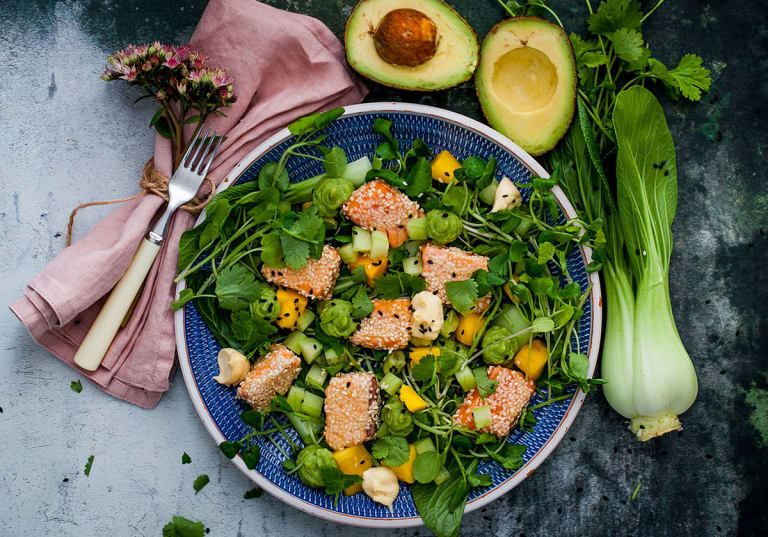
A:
x: 405, y: 37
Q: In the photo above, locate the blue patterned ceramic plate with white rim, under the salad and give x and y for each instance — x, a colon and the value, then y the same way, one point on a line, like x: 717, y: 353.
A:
x: 198, y: 349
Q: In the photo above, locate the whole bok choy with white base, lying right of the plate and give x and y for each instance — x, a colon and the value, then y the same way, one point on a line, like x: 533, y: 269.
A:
x: 650, y: 377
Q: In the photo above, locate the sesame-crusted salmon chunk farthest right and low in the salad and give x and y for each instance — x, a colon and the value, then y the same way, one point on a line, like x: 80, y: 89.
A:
x: 513, y: 392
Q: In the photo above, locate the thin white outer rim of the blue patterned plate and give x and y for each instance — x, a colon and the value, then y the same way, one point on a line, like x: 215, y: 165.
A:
x: 594, y: 340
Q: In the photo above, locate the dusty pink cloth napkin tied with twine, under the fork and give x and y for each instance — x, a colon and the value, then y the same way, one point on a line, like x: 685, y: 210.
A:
x: 284, y: 66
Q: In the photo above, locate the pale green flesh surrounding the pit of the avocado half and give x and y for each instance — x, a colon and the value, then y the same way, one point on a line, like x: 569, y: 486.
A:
x: 455, y: 54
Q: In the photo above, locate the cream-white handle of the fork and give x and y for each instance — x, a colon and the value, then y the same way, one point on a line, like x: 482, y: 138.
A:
x: 96, y: 343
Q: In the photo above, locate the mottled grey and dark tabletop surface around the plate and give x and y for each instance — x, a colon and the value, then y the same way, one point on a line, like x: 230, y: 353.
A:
x: 66, y: 137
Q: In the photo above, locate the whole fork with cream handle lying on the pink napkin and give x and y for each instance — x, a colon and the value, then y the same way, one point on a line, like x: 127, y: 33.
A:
x: 182, y: 188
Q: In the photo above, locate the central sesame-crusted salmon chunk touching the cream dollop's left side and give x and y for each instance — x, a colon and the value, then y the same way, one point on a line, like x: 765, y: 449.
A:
x: 387, y: 327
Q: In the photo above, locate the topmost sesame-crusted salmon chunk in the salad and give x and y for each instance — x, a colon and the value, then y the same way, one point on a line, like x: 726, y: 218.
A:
x: 379, y: 205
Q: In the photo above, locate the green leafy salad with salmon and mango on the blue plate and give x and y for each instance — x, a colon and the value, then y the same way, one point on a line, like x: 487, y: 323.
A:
x: 399, y: 310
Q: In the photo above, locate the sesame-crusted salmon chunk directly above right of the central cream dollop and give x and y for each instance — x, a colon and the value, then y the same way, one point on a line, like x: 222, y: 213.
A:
x: 443, y: 264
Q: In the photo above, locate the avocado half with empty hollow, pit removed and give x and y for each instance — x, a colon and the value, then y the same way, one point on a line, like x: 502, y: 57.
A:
x: 526, y: 82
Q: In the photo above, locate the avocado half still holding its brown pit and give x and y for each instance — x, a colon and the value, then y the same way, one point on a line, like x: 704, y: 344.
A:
x: 410, y: 44
